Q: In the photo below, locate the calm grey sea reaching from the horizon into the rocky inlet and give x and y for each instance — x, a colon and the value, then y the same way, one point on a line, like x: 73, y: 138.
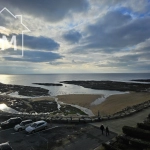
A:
x: 71, y: 89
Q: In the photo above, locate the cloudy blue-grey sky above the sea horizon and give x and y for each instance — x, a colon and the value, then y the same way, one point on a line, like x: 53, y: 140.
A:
x: 76, y: 36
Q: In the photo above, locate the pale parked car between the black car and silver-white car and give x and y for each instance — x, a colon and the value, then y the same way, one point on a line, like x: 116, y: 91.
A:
x: 24, y: 124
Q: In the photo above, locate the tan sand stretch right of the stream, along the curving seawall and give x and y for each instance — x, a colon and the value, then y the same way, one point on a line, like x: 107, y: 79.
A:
x: 116, y: 103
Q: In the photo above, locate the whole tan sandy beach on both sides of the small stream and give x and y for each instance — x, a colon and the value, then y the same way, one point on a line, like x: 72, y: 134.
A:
x: 111, y: 105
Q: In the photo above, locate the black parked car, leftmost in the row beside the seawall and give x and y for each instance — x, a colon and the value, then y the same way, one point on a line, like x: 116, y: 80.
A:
x: 10, y: 123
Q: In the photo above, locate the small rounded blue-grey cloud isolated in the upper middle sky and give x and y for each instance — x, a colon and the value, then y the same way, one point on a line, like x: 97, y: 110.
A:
x: 72, y: 36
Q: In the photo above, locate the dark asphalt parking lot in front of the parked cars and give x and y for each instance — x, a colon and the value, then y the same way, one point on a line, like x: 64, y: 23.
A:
x: 60, y: 137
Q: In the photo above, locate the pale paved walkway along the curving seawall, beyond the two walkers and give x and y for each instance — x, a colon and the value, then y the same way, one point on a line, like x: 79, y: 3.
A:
x: 116, y: 125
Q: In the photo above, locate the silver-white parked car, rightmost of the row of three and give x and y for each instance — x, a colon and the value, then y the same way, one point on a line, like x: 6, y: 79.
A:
x: 36, y: 126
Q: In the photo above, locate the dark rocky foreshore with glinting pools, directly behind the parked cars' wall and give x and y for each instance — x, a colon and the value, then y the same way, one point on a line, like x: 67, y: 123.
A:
x: 43, y: 105
